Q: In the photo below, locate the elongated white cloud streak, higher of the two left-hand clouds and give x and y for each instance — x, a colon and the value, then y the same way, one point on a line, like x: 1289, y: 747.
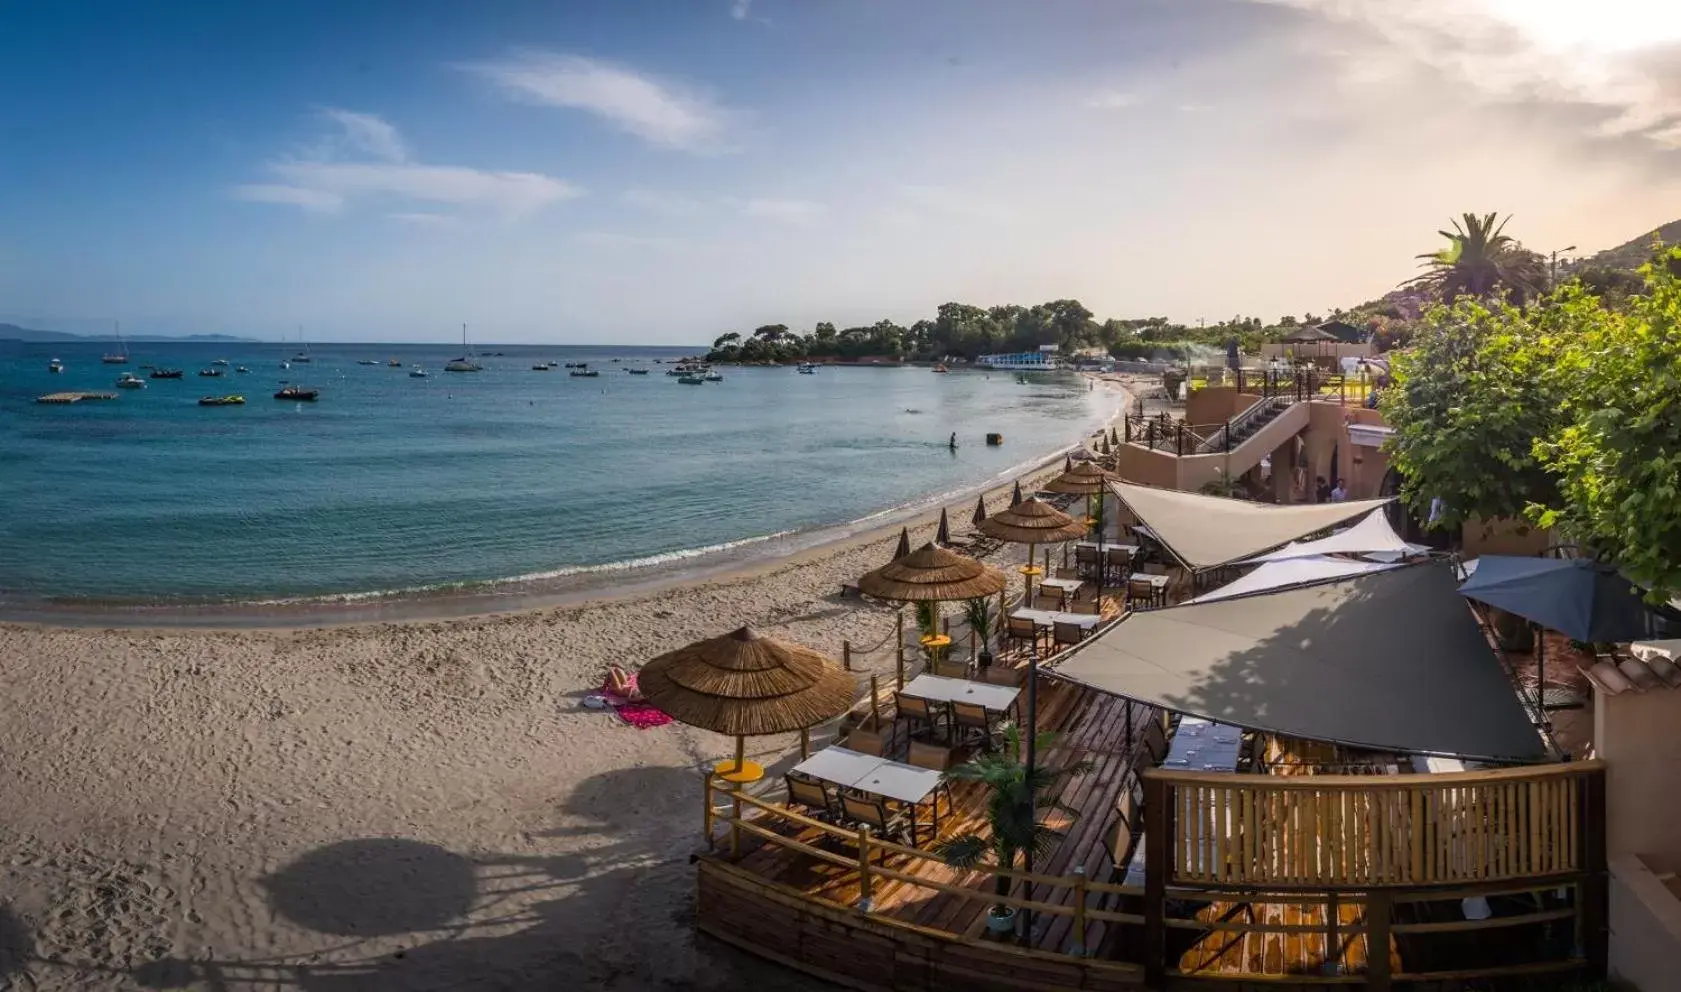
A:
x: 661, y: 113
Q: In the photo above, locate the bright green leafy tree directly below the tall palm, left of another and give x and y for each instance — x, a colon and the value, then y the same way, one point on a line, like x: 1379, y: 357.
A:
x: 1468, y: 401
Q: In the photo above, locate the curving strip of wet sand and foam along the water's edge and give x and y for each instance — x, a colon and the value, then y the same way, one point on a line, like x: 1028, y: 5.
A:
x: 746, y: 561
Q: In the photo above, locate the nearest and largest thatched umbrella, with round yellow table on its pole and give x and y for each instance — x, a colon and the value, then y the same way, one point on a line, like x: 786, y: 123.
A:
x: 747, y: 685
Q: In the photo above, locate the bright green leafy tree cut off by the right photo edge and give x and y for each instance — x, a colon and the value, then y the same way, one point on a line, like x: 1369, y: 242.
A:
x: 1620, y: 456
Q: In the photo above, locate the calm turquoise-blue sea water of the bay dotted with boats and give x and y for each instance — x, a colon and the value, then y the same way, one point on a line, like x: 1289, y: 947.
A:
x: 396, y: 485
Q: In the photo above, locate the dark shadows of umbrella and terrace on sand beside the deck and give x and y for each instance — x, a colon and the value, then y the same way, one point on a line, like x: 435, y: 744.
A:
x: 613, y: 912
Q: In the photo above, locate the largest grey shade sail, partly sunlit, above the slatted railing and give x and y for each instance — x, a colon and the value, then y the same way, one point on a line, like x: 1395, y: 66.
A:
x: 1389, y: 662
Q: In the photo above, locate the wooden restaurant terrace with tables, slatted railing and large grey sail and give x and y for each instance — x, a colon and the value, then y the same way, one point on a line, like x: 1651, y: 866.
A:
x: 1331, y: 783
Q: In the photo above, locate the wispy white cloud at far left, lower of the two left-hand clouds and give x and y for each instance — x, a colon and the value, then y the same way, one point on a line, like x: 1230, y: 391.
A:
x: 327, y: 184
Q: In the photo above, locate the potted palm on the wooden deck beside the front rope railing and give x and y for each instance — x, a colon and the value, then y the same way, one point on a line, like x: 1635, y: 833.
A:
x: 1014, y: 803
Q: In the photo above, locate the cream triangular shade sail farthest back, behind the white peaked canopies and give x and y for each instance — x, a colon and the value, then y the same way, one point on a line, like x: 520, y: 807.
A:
x: 1206, y: 532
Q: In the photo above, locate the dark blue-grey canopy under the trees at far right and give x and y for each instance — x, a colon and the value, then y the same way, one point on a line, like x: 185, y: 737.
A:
x: 1579, y: 598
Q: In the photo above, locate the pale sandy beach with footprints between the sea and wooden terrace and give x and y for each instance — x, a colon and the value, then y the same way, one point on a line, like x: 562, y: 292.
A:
x: 391, y: 806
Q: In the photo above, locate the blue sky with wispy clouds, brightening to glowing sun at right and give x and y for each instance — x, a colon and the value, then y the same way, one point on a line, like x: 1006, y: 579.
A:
x: 663, y: 172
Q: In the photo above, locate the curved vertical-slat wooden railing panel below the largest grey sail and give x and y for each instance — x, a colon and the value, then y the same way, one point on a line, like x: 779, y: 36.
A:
x: 1356, y: 831
